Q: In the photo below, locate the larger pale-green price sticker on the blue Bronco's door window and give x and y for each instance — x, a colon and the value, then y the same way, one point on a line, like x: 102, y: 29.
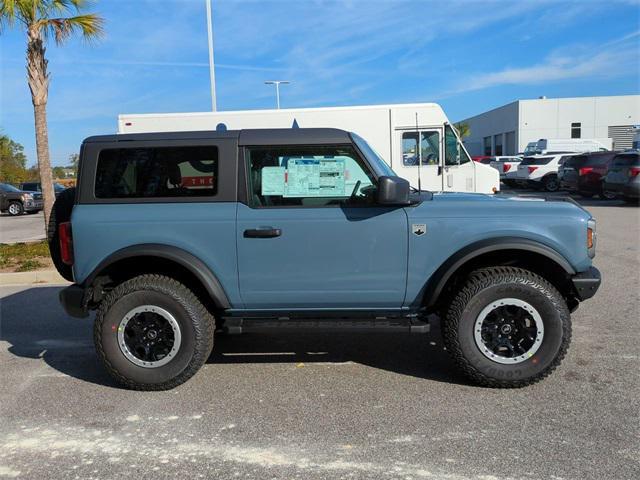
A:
x: 312, y: 177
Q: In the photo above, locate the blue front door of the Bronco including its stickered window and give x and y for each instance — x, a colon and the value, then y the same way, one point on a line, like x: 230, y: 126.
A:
x: 312, y: 236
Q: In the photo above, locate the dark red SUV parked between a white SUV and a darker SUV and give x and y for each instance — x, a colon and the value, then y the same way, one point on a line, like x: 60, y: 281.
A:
x: 583, y: 174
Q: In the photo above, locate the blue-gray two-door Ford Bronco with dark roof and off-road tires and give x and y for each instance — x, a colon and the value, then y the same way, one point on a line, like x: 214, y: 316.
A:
x: 172, y: 236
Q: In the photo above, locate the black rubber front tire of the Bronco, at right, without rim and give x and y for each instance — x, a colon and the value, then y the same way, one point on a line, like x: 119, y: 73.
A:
x: 485, y: 286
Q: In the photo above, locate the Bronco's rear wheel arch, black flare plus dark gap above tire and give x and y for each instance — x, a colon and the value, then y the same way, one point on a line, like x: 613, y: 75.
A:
x: 164, y: 259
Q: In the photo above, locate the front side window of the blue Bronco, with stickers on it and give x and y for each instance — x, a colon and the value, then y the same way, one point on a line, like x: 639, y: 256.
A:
x: 308, y: 176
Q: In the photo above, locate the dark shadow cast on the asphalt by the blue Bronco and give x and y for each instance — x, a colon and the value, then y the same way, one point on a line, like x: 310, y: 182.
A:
x: 35, y: 326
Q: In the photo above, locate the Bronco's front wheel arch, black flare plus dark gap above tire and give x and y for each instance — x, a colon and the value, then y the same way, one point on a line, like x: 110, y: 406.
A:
x: 525, y: 253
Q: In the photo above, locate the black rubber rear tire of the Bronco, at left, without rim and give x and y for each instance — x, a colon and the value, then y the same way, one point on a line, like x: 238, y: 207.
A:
x: 196, y: 325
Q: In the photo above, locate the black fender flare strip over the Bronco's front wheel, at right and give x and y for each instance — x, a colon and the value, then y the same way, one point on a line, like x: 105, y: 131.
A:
x: 434, y: 286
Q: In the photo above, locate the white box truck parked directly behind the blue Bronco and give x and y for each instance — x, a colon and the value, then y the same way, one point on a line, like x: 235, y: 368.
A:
x: 403, y: 135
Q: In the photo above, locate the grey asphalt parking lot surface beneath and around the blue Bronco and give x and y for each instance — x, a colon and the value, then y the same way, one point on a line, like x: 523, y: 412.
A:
x: 329, y: 406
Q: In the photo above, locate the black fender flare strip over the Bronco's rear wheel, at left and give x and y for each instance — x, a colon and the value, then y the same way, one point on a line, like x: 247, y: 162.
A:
x: 175, y: 254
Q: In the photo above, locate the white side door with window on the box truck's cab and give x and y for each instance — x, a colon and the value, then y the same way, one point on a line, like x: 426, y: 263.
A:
x: 421, y: 157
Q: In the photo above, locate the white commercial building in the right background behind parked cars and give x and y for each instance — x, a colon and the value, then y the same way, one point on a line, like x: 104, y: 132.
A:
x: 508, y: 129
